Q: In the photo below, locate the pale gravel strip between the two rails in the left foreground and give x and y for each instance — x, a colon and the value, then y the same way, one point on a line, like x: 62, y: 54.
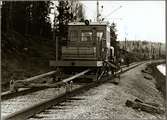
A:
x: 18, y: 103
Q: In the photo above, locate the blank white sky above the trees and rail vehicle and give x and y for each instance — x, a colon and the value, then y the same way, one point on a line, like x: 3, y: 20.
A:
x: 135, y: 20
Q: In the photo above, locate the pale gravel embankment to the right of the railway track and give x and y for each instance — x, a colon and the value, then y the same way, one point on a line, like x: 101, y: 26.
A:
x: 107, y: 101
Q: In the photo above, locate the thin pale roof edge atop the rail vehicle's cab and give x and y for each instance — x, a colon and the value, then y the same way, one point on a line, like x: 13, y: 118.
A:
x: 91, y: 23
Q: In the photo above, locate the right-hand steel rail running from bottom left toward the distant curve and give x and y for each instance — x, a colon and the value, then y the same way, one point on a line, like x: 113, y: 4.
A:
x: 32, y: 110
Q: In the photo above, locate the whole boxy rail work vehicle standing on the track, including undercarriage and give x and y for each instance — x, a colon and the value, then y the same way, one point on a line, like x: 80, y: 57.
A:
x: 87, y: 47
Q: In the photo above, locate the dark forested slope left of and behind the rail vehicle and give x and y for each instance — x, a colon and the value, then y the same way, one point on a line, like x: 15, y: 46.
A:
x: 27, y: 42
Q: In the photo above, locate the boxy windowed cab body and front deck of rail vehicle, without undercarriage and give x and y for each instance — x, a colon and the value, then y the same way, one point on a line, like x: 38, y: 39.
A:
x: 87, y: 45
